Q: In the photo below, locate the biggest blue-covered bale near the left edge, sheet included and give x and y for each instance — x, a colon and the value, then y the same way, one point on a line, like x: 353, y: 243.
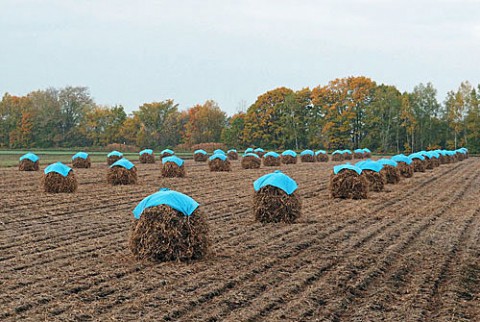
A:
x: 58, y: 178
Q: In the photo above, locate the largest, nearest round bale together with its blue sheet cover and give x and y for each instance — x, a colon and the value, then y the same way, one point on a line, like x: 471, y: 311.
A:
x: 169, y: 226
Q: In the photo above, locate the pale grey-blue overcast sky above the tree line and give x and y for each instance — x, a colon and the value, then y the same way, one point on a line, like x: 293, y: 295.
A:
x: 132, y: 52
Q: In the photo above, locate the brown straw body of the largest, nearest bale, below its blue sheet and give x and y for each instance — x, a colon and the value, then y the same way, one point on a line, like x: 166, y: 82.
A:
x: 165, y: 234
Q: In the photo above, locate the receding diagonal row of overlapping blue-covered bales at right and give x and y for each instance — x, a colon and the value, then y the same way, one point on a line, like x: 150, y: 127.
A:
x: 355, y: 181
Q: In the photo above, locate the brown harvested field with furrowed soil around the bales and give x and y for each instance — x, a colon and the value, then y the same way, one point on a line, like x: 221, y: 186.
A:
x: 410, y: 253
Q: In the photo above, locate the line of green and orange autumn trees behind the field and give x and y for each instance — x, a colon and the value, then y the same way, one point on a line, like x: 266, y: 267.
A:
x: 347, y: 112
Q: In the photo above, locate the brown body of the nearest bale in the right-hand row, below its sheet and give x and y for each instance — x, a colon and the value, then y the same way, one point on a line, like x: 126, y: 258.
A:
x: 348, y: 184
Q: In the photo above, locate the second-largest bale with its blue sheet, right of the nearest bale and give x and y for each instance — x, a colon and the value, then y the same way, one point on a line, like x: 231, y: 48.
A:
x: 275, y: 199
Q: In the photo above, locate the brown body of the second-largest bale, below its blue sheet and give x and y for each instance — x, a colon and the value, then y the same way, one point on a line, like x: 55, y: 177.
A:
x: 271, y: 204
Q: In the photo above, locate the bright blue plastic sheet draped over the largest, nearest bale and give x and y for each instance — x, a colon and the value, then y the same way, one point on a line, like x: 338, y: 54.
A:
x: 174, y: 199
